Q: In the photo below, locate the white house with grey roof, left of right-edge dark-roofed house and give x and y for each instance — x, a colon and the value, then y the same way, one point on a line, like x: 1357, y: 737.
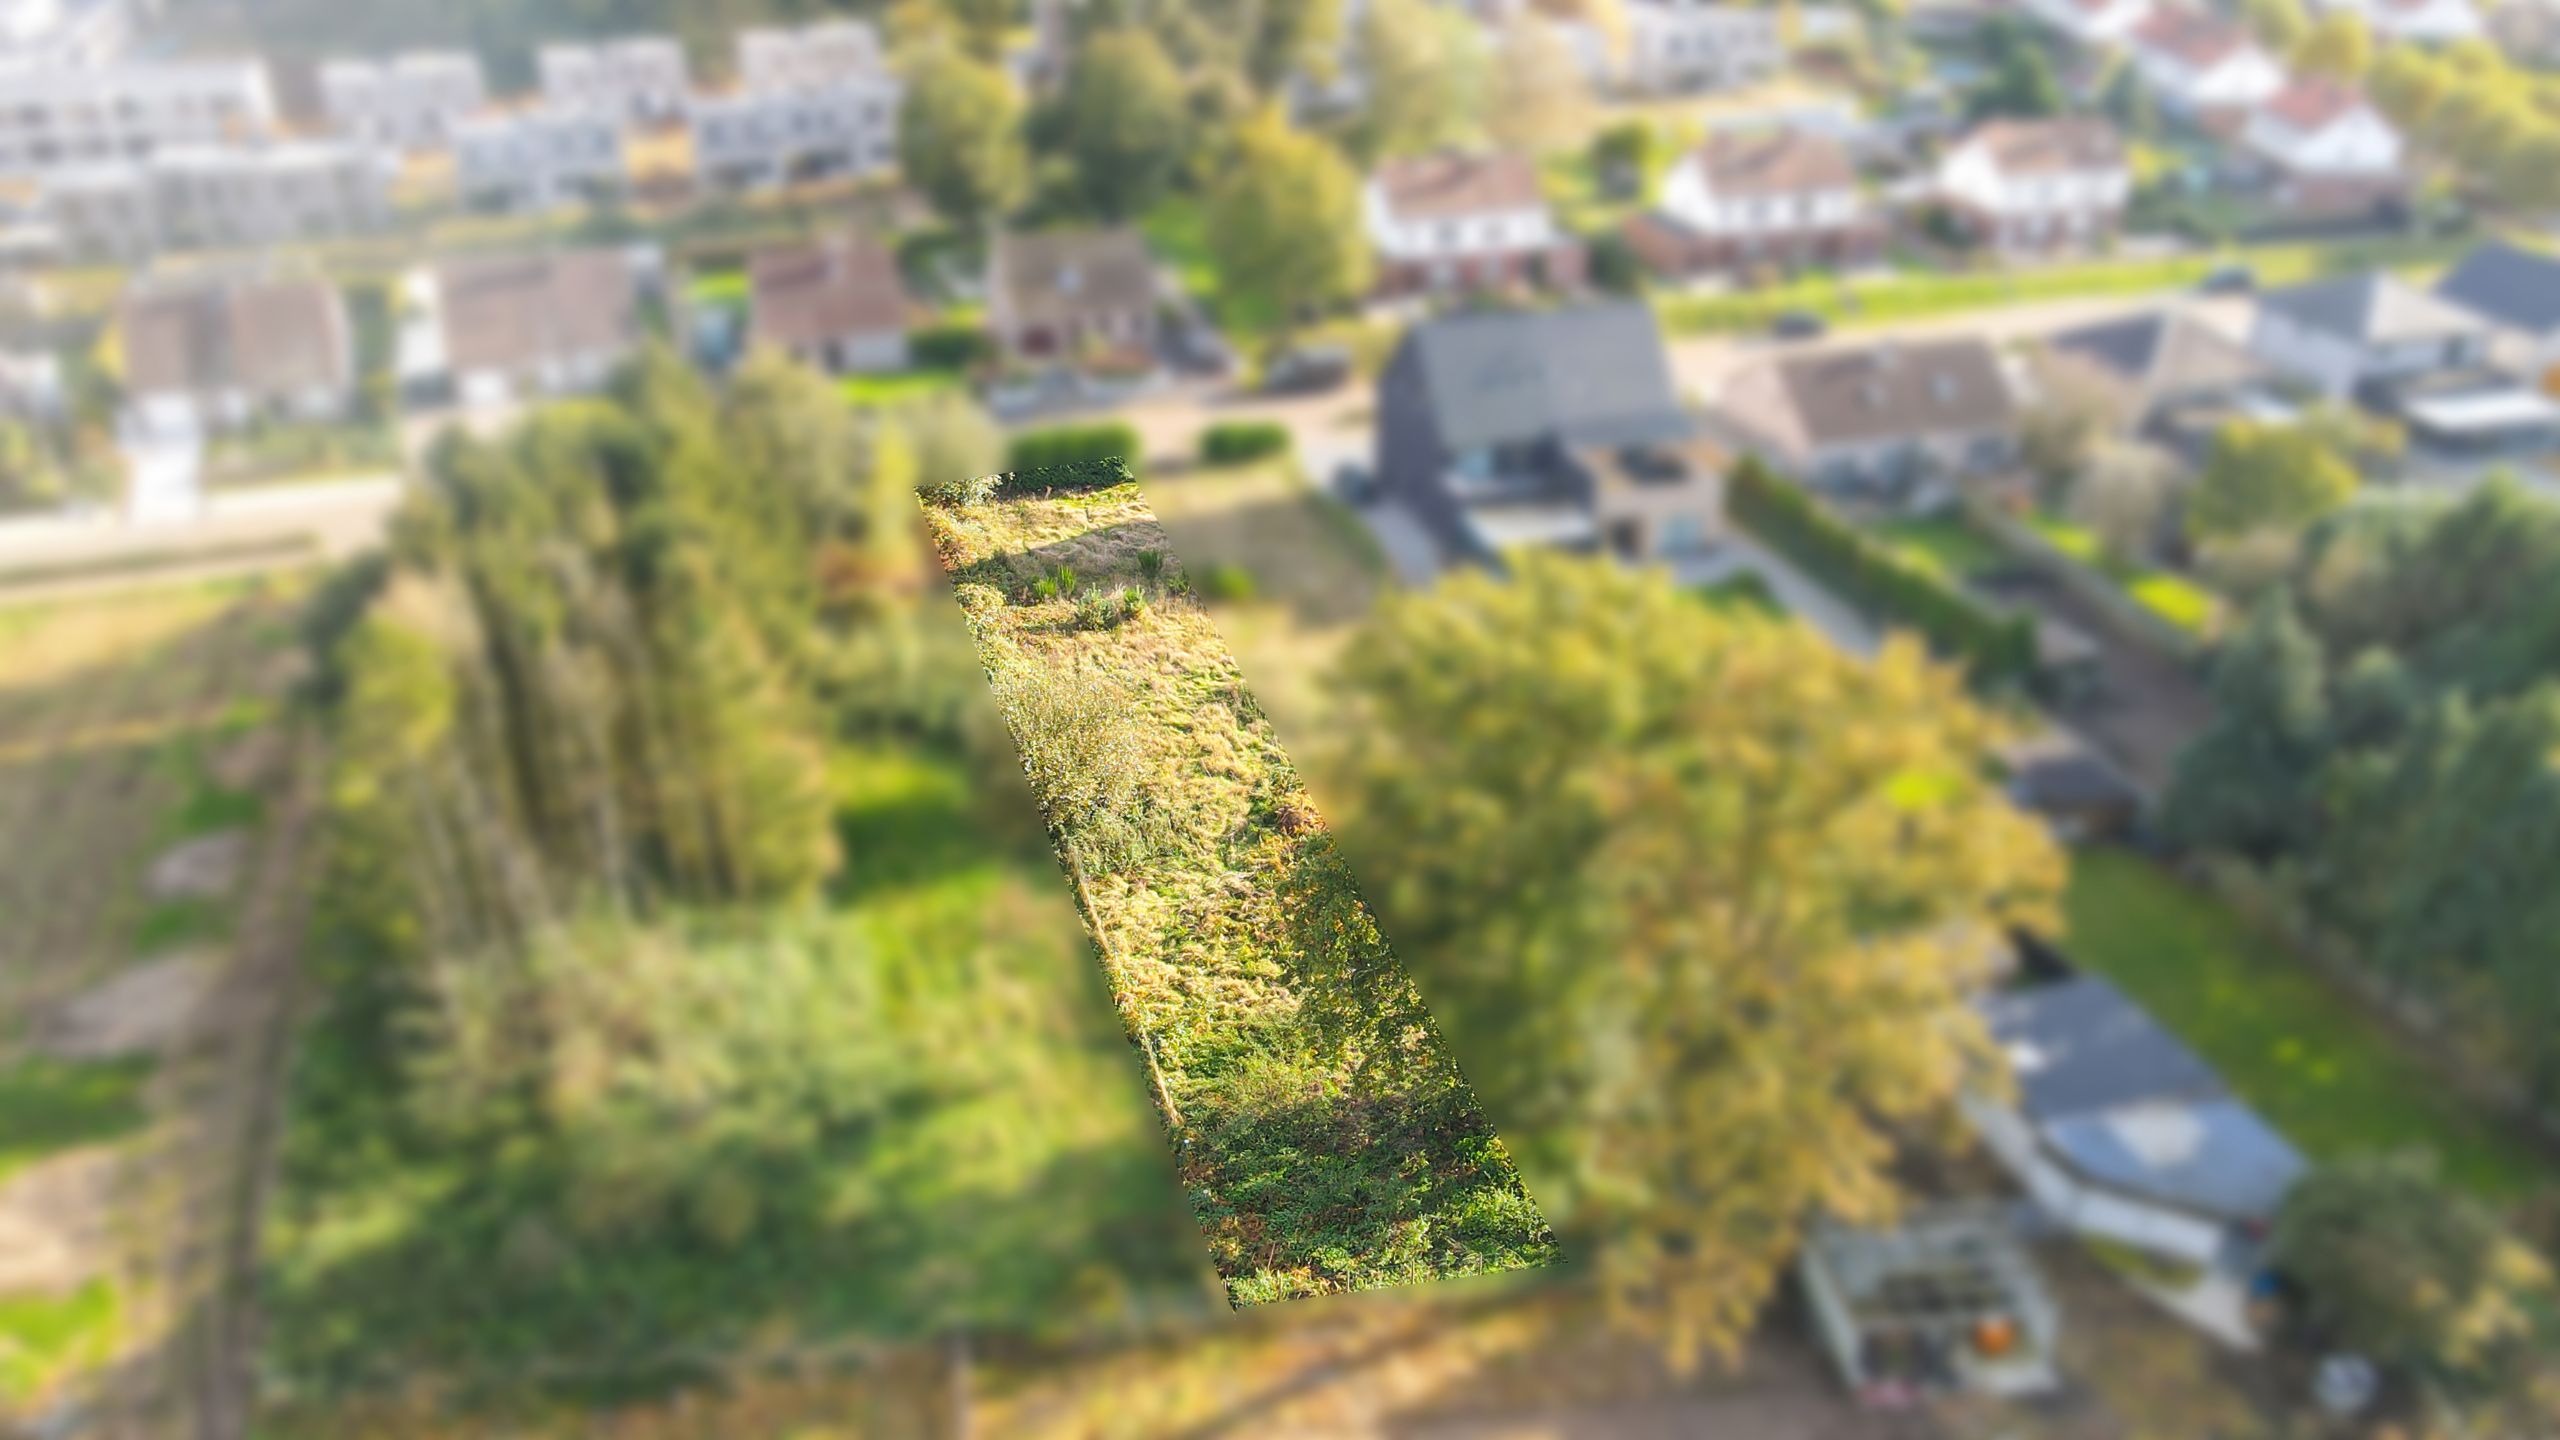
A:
x: 2346, y: 334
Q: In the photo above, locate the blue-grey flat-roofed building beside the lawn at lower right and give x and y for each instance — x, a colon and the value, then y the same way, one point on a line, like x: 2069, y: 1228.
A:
x: 2121, y: 1134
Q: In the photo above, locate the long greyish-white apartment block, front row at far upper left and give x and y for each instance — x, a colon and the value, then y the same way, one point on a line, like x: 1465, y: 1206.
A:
x: 219, y: 199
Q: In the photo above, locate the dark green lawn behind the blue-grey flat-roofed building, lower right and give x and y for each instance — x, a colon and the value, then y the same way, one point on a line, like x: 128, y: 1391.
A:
x: 2305, y: 1057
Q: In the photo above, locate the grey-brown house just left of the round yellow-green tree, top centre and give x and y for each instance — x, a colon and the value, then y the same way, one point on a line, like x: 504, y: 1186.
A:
x: 1059, y: 296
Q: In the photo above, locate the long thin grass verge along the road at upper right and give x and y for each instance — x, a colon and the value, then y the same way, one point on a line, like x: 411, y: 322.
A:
x: 1919, y: 296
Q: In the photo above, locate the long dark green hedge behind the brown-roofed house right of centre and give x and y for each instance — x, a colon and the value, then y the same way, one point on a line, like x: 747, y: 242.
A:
x: 1996, y: 647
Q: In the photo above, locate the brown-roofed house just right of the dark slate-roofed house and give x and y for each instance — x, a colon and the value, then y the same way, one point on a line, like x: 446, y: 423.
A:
x: 1893, y: 419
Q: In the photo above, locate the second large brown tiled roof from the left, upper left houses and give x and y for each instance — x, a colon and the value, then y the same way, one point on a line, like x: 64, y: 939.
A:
x: 521, y: 311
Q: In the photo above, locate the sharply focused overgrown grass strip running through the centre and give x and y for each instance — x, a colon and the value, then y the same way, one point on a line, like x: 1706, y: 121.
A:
x: 1325, y: 1136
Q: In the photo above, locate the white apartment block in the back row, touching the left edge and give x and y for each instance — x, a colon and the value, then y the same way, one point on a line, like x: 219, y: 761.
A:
x: 58, y: 117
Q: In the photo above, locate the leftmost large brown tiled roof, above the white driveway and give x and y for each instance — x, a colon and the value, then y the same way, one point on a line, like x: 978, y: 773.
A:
x: 265, y: 337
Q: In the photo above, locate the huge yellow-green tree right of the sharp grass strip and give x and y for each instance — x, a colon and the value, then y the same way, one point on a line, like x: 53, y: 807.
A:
x: 1696, y: 898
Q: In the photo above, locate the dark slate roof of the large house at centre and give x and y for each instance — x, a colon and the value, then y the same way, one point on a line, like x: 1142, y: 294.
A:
x: 1586, y: 375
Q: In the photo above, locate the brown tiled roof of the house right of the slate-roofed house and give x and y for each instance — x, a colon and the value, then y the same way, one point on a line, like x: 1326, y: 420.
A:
x: 1898, y: 391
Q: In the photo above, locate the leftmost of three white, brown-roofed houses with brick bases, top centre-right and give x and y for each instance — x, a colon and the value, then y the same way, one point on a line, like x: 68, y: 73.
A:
x: 1466, y: 222
